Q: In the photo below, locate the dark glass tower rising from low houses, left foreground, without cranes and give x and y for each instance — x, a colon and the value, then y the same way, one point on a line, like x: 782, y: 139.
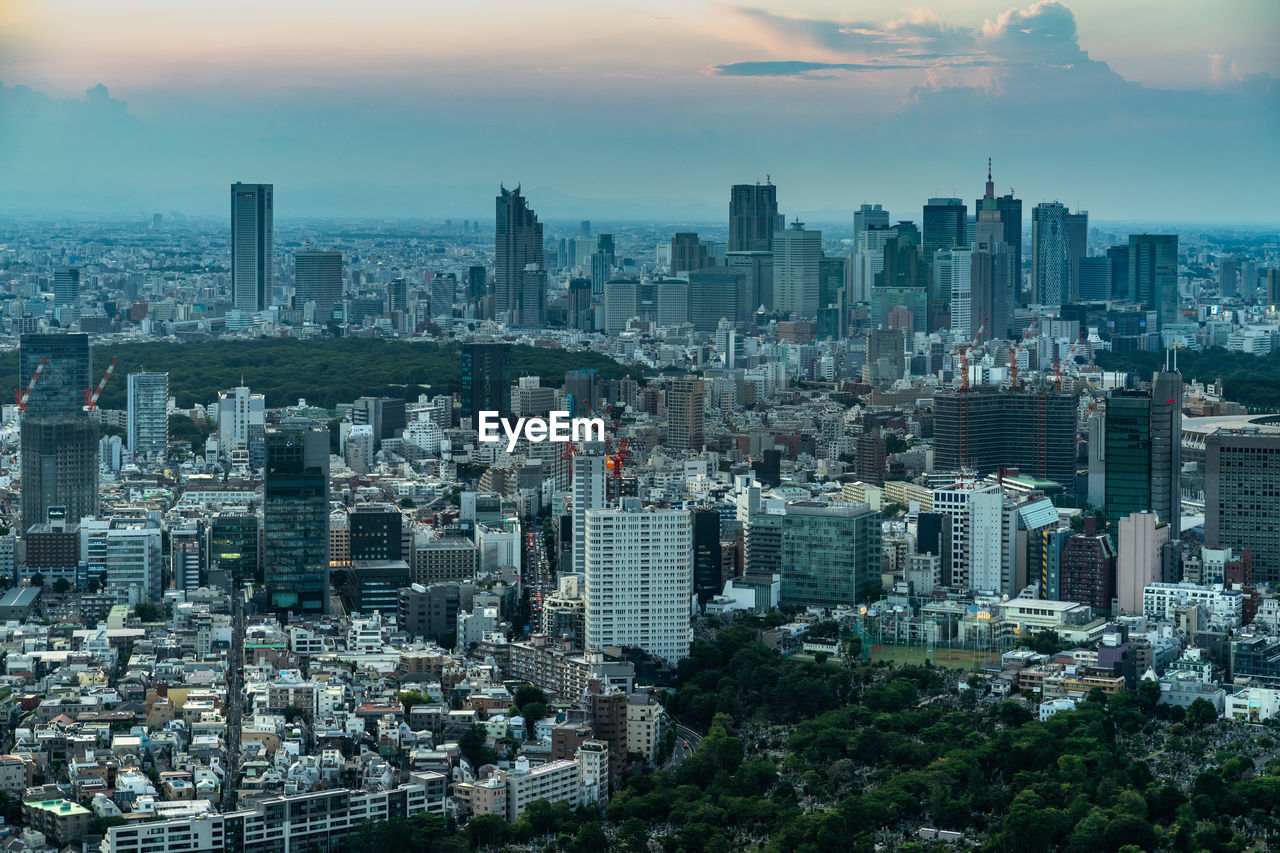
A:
x: 296, y: 518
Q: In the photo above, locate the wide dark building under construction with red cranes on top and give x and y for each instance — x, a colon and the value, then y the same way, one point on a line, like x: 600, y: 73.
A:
x: 986, y: 430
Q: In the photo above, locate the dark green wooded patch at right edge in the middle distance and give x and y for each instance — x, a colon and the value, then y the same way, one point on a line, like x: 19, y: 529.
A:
x: 1249, y: 380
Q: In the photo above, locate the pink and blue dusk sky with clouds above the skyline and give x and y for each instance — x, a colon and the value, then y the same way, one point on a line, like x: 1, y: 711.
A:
x: 1165, y: 111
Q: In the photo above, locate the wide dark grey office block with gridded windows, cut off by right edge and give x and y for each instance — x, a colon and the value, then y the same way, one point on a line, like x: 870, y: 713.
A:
x: 1242, y: 496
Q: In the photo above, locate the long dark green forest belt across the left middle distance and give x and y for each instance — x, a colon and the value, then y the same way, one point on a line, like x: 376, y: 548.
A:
x: 323, y: 372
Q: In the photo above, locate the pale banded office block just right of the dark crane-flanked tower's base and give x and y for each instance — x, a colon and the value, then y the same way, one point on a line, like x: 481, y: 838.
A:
x: 129, y: 551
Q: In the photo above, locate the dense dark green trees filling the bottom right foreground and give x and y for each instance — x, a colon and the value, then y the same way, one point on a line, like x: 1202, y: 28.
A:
x: 826, y: 756
